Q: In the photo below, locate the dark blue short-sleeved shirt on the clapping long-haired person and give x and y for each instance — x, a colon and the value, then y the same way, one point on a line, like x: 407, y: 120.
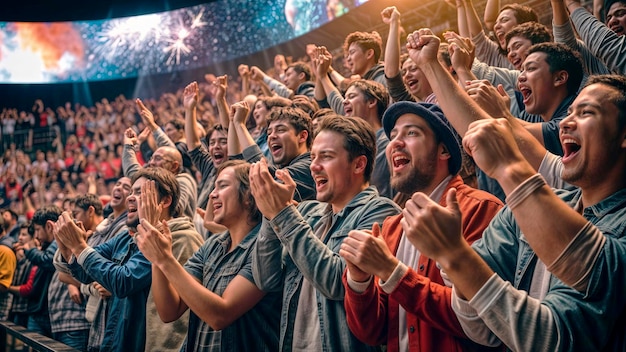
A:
x: 216, y: 268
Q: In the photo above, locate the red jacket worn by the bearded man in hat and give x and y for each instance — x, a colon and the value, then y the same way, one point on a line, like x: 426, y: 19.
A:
x: 373, y: 315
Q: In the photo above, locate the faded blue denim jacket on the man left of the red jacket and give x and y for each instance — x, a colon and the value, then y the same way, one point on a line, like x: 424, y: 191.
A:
x: 287, y: 251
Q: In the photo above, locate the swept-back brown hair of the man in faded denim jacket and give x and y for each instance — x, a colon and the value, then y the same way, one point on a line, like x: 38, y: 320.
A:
x: 359, y: 138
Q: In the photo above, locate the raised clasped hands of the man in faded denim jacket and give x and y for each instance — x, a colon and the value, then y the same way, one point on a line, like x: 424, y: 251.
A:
x: 271, y: 196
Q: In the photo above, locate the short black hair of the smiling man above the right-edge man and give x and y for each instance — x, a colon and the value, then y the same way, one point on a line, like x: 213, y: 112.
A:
x: 561, y: 57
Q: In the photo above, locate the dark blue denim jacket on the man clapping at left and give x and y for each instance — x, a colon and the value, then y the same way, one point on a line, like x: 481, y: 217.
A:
x: 121, y: 268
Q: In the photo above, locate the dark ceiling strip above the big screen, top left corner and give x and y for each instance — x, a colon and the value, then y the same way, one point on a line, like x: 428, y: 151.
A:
x: 77, y: 10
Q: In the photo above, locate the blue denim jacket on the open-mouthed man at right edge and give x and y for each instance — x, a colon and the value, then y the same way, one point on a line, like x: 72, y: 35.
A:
x: 565, y: 320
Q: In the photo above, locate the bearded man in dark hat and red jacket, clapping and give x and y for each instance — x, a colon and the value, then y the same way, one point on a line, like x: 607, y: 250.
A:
x: 407, y: 307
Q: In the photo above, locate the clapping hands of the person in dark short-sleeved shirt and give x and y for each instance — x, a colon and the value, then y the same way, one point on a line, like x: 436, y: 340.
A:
x: 155, y: 245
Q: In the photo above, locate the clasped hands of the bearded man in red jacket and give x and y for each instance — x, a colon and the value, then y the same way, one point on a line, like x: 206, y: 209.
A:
x: 367, y: 254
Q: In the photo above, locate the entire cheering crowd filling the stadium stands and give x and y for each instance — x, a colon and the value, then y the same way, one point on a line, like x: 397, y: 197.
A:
x: 447, y: 191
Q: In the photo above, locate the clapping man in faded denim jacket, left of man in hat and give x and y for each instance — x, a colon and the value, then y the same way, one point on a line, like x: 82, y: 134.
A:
x: 297, y: 248
